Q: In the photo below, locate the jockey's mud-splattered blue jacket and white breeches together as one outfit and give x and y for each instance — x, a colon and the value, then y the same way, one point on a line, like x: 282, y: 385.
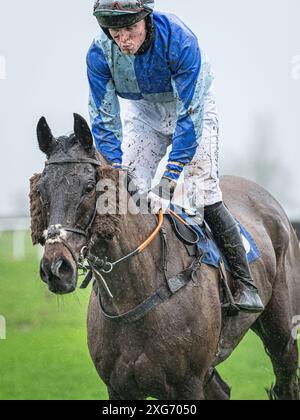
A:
x: 171, y: 101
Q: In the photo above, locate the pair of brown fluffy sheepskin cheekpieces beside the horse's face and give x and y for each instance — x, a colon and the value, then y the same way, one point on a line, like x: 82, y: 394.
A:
x: 104, y: 226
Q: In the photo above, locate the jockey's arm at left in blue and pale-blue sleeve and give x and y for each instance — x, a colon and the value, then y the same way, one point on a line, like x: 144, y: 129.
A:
x: 104, y: 107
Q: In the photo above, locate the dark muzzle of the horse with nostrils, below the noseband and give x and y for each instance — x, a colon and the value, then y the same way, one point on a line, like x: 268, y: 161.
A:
x: 59, y: 274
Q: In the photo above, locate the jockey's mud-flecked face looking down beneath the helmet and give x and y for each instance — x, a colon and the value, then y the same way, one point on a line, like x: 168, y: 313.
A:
x: 130, y: 39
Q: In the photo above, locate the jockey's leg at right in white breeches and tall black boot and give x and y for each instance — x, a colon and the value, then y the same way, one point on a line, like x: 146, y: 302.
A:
x: 203, y: 190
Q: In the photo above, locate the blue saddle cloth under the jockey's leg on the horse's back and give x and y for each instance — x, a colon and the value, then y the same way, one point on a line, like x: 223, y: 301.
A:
x: 206, y: 244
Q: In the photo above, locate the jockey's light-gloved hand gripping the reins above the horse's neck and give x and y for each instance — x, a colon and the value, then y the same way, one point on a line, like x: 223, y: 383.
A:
x: 161, y: 196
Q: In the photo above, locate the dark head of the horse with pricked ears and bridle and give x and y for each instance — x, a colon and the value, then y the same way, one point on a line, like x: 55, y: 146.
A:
x: 63, y: 202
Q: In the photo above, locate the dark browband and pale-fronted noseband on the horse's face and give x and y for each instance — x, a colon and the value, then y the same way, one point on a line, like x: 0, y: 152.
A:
x: 58, y: 233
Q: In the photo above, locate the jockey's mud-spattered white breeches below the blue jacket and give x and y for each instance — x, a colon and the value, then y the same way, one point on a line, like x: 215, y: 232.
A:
x: 148, y: 132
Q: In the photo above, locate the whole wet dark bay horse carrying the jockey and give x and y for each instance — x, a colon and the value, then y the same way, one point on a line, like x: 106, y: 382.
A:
x: 170, y: 353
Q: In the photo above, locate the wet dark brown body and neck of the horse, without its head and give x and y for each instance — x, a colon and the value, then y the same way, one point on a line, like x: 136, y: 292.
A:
x: 164, y: 355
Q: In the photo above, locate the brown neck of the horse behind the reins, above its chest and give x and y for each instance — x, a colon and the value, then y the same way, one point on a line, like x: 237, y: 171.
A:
x: 135, y: 279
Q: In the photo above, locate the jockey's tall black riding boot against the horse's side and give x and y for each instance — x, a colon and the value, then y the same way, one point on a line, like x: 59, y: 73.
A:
x: 227, y: 236
